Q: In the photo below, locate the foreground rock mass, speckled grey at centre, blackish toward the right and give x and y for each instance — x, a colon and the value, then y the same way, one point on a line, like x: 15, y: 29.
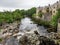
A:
x: 35, y: 39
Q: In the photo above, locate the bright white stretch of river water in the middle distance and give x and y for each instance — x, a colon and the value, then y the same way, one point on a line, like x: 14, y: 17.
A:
x: 27, y: 24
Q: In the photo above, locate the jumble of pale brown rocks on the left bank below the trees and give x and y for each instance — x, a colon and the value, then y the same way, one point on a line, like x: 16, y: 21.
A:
x: 10, y: 29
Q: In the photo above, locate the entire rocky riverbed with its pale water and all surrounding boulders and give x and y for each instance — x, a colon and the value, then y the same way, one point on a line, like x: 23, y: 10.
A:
x: 28, y: 33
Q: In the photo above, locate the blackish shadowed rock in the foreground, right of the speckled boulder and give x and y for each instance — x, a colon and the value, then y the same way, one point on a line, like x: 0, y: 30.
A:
x: 46, y: 41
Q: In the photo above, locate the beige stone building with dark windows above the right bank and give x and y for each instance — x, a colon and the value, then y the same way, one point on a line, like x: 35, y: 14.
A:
x: 48, y: 11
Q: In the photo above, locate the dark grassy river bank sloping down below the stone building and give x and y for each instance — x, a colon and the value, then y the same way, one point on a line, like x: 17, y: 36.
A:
x: 46, y: 24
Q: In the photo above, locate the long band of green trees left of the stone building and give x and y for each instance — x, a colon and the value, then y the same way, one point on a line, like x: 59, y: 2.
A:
x: 17, y: 15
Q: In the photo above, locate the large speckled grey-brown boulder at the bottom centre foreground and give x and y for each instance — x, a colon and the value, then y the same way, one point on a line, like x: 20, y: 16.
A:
x: 29, y: 39
